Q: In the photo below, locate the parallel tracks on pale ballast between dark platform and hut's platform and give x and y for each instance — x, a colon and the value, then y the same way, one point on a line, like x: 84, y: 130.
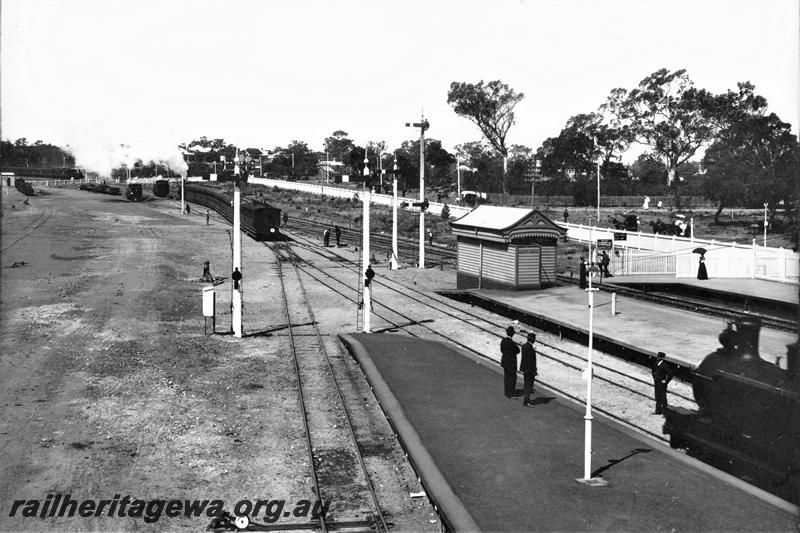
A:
x: 619, y: 382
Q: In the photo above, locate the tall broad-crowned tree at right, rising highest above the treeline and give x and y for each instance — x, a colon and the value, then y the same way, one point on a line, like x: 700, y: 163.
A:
x: 666, y: 113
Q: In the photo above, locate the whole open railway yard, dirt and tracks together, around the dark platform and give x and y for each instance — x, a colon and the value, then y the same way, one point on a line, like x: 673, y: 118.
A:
x: 111, y: 385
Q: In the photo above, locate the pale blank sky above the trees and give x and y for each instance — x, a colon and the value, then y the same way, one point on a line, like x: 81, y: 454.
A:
x: 151, y: 74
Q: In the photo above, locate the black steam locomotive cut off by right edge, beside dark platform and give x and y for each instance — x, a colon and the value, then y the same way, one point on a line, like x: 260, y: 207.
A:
x: 748, y: 422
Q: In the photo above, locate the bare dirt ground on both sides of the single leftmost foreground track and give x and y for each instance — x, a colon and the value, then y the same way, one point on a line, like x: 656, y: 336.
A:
x: 110, y: 388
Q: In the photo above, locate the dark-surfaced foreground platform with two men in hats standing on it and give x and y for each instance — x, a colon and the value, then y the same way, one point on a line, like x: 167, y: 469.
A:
x: 491, y: 464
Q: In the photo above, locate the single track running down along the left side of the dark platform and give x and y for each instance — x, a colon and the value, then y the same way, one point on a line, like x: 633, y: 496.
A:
x: 326, y: 419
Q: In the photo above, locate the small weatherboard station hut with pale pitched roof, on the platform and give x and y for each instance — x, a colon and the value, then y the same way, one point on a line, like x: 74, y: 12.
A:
x: 506, y: 248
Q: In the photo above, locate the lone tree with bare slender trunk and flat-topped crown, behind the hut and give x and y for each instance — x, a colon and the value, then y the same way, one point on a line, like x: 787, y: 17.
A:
x: 491, y: 108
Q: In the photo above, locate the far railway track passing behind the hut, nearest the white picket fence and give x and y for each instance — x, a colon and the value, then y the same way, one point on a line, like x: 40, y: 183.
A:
x: 443, y: 256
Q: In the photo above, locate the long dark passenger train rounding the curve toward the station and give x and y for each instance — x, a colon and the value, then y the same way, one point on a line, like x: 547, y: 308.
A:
x: 260, y: 221
